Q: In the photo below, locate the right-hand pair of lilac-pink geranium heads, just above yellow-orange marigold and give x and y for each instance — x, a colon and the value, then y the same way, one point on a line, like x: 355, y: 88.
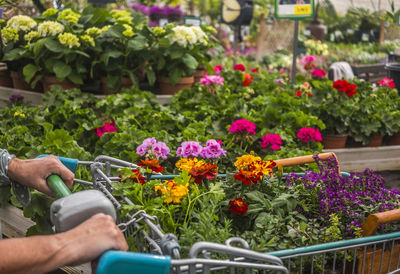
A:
x: 212, y: 150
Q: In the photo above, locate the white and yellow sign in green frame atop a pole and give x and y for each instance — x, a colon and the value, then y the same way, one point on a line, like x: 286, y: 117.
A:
x: 294, y: 9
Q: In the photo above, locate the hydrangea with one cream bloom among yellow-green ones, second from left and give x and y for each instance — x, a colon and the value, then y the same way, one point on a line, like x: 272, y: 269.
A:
x: 58, y: 51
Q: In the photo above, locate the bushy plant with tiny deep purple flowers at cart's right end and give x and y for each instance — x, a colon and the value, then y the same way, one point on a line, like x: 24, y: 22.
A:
x: 352, y: 198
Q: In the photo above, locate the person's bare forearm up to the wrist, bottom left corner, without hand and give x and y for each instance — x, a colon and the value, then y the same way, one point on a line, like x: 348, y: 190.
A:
x: 36, y: 254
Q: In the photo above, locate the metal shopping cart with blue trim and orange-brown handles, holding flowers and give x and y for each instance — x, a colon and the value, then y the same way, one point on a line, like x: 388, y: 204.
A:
x: 160, y: 253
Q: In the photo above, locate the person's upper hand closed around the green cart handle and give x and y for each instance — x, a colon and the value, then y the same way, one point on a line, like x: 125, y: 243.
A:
x: 33, y: 173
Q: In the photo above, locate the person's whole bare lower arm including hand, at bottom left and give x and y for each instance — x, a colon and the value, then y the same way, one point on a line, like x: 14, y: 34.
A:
x: 40, y: 254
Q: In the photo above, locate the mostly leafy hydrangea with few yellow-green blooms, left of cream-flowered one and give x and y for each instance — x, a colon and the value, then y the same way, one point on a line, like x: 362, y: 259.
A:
x: 122, y: 53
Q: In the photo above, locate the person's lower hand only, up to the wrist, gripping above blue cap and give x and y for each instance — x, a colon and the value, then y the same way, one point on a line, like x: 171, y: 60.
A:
x: 92, y: 238
